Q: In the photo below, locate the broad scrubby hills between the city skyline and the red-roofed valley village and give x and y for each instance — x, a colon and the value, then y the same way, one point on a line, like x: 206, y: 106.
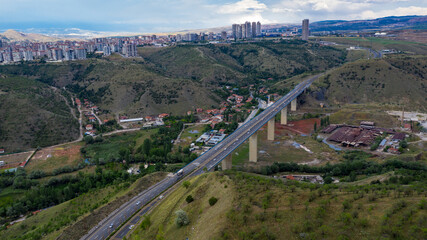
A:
x: 182, y: 78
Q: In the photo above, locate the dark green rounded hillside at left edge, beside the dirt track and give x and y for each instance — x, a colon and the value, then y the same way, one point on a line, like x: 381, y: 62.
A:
x: 28, y: 119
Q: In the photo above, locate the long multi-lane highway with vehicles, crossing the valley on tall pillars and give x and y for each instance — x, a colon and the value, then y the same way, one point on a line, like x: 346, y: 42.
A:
x: 206, y: 161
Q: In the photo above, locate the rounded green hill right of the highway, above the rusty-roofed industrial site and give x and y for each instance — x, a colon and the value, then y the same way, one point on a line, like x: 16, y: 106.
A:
x: 393, y: 81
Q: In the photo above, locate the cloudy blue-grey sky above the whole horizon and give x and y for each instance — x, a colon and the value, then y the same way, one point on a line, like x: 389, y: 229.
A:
x: 172, y: 15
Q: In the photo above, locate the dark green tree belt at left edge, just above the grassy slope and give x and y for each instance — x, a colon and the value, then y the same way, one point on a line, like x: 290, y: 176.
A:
x: 56, y: 190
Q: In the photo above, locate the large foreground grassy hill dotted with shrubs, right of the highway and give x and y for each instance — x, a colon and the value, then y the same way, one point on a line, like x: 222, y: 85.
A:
x: 262, y: 208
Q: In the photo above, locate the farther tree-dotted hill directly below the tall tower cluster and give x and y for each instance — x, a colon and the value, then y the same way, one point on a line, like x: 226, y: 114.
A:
x: 249, y: 62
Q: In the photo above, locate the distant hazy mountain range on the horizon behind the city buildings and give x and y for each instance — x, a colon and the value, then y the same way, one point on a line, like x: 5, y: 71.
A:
x: 379, y: 24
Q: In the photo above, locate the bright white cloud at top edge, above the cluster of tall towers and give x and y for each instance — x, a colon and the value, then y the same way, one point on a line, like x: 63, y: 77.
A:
x: 243, y: 6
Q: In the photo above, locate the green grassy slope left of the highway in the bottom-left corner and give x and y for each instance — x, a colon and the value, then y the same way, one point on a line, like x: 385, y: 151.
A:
x: 83, y: 211
